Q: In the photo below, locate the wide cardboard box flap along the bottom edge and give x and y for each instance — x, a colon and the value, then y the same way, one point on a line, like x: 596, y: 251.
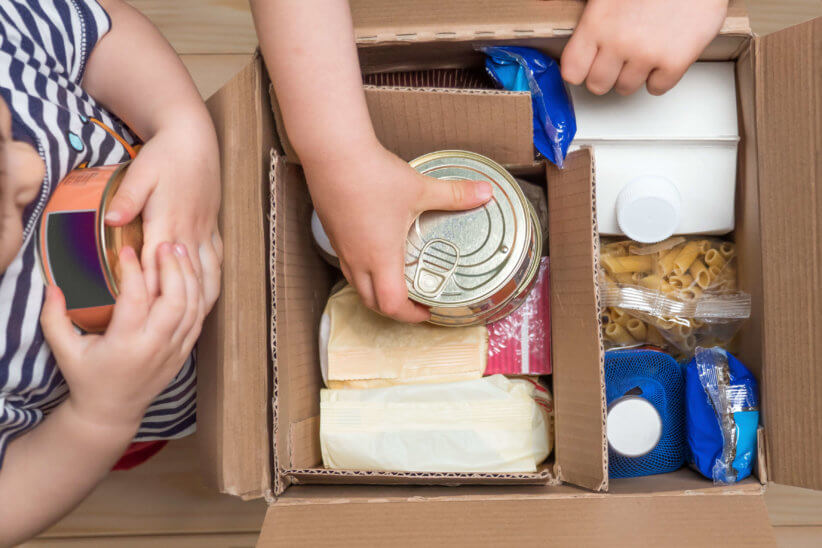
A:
x: 567, y: 519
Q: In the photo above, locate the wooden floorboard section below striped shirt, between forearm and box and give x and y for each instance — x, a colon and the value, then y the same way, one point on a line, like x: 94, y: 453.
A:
x: 163, y: 496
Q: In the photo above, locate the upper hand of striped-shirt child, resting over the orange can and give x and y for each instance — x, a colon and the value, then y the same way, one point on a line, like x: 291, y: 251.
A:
x: 175, y: 183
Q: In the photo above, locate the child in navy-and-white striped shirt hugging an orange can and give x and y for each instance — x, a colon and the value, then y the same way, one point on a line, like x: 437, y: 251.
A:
x: 80, y: 82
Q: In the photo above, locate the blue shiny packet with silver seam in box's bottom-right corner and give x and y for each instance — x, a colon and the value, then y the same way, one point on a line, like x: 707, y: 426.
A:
x: 722, y: 415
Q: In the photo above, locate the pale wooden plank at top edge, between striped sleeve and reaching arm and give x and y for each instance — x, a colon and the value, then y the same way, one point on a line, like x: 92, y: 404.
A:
x: 203, y: 26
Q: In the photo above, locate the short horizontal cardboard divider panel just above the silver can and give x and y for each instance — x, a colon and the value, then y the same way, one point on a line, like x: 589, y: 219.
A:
x: 411, y: 122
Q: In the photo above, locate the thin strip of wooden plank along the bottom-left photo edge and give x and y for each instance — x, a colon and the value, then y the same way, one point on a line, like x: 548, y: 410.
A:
x: 239, y: 540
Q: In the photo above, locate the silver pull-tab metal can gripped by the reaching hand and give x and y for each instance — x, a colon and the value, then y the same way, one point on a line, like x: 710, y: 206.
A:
x: 473, y: 267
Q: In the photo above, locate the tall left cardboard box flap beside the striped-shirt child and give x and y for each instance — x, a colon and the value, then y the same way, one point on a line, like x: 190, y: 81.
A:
x: 233, y: 381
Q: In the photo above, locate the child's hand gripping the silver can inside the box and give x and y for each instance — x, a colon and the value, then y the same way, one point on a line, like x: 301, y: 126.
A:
x: 367, y: 203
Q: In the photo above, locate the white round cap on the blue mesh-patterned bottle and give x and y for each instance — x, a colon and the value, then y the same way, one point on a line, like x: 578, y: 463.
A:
x: 634, y: 426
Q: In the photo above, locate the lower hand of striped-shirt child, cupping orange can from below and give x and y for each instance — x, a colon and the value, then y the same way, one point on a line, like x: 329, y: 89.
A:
x: 114, y: 377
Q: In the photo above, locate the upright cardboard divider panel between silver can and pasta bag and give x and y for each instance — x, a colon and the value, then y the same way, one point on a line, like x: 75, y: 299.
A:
x: 577, y: 350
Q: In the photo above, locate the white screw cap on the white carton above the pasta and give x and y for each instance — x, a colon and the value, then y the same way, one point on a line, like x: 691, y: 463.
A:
x: 648, y: 209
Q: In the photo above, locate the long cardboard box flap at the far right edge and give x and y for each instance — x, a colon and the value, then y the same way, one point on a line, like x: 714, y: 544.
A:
x: 789, y: 138
